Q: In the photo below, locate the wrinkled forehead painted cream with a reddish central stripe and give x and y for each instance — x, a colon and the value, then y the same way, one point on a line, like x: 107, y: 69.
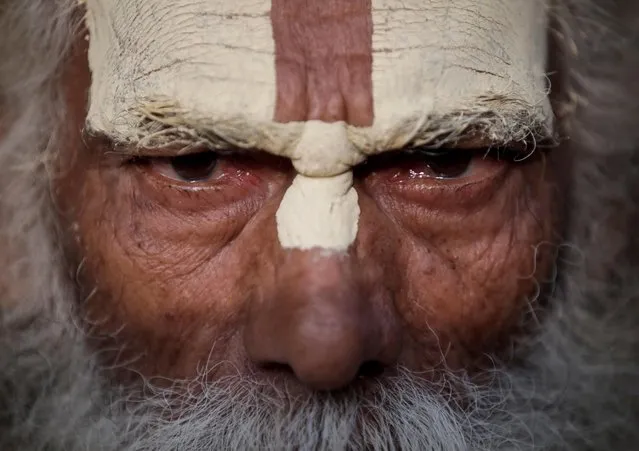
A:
x: 388, y: 69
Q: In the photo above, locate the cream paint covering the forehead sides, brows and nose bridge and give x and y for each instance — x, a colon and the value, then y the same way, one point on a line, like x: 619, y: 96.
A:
x: 213, y: 64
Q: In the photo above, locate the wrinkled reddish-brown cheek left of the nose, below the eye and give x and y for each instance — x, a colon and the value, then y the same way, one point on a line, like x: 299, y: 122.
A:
x: 141, y: 296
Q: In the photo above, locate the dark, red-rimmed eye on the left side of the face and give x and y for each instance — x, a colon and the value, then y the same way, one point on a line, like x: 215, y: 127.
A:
x: 192, y: 168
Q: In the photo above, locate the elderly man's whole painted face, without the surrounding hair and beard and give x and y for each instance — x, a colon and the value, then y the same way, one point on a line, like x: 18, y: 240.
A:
x: 183, y: 260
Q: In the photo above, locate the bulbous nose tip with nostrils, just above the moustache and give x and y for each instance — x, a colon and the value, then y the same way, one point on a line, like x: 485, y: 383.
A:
x: 326, y: 348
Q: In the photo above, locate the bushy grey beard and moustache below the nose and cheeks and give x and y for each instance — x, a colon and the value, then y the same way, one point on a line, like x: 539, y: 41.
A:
x: 571, y: 391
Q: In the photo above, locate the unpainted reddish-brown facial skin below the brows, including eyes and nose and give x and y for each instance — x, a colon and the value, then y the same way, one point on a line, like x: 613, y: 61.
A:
x: 175, y: 274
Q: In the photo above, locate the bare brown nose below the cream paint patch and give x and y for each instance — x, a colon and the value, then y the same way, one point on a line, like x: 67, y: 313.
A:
x: 322, y: 323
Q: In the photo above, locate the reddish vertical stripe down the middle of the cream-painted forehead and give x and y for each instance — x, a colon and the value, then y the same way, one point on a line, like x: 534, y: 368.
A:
x: 324, y: 60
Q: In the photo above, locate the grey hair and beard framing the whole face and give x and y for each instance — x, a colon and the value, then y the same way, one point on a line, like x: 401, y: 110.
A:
x: 572, y: 383
